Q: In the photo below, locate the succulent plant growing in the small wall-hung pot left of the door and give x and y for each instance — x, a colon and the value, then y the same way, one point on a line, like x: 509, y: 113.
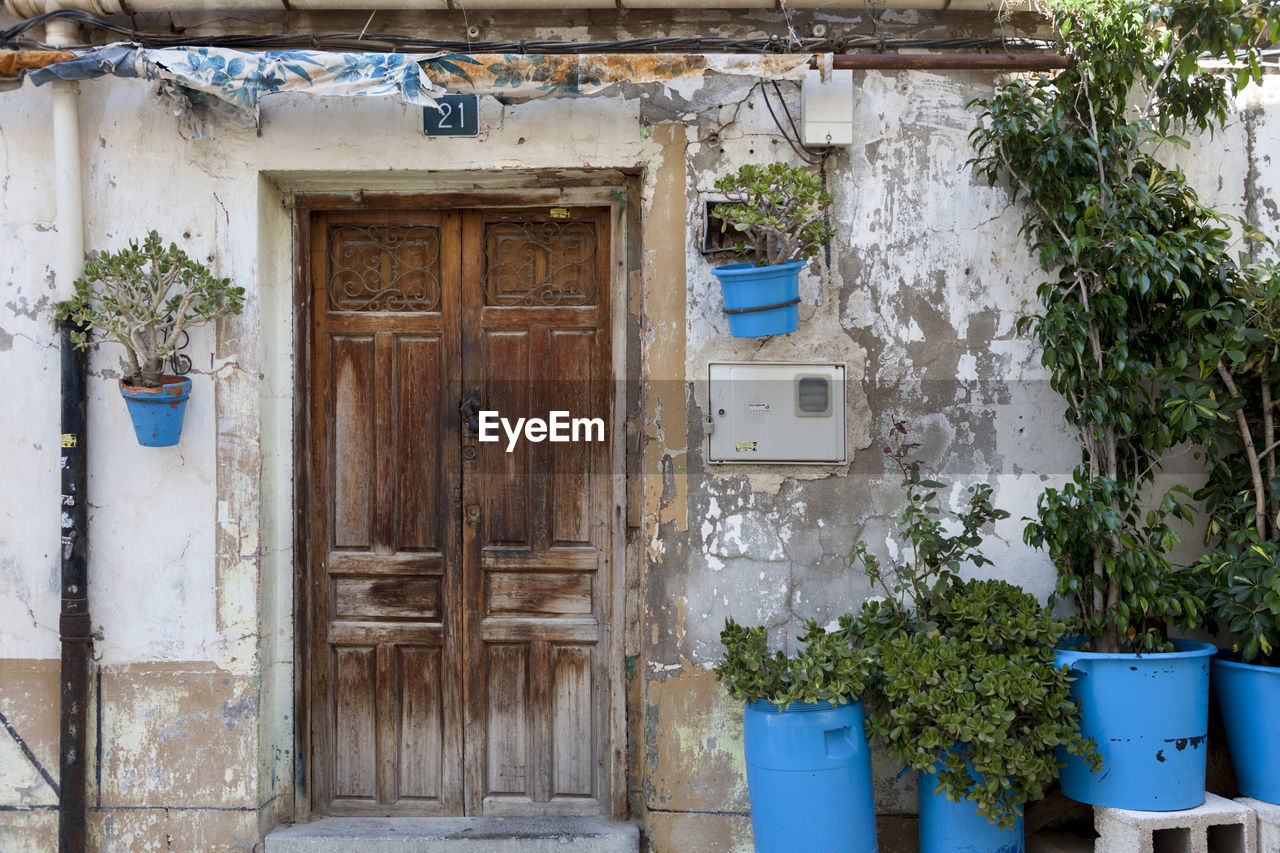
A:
x: 144, y: 298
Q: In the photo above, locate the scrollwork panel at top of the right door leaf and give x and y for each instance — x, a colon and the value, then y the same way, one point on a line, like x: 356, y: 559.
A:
x: 541, y: 263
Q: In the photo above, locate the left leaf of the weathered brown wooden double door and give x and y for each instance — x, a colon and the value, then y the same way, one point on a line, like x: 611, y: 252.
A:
x: 382, y: 509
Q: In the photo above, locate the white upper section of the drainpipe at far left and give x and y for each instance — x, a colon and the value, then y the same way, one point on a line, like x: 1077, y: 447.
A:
x: 68, y: 174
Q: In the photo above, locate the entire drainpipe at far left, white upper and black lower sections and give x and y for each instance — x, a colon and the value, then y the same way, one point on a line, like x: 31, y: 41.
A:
x: 74, y: 623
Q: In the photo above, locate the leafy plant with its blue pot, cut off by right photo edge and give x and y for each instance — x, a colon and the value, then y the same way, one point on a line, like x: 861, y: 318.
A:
x: 1232, y: 409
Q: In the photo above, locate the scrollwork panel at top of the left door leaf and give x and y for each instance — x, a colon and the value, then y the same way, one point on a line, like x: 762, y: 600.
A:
x: 385, y: 268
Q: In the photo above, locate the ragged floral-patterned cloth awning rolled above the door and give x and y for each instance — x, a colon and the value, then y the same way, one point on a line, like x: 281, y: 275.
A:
x: 204, y: 81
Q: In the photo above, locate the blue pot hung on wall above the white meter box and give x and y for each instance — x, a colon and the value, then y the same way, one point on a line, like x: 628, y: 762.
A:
x: 761, y: 300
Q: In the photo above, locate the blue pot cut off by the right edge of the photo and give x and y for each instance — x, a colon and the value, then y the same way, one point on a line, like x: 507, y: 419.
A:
x: 1249, y: 695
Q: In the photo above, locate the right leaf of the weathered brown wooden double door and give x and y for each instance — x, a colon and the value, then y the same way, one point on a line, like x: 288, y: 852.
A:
x: 536, y: 554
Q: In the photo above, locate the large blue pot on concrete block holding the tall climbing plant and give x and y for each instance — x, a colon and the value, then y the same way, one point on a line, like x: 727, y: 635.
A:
x: 1149, y: 717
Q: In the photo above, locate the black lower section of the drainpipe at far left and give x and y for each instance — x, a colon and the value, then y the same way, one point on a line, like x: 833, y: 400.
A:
x: 74, y: 624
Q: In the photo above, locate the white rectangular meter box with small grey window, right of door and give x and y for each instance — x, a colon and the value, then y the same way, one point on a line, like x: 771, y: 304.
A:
x: 776, y: 413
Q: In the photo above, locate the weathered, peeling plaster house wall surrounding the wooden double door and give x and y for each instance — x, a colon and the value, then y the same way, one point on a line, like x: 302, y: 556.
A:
x: 926, y: 280
